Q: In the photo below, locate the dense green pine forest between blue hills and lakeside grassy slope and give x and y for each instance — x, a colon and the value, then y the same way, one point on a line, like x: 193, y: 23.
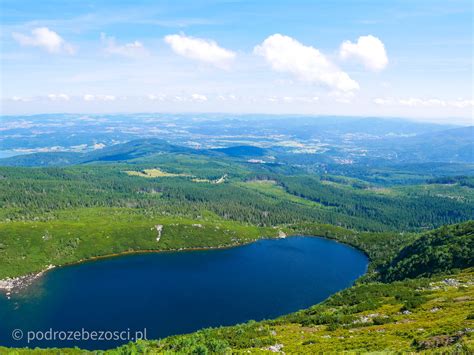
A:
x: 262, y: 195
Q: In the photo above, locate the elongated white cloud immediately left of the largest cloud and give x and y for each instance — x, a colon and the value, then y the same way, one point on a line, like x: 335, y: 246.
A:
x: 203, y: 50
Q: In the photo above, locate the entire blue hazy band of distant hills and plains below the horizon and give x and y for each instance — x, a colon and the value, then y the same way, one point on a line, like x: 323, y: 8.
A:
x: 292, y: 140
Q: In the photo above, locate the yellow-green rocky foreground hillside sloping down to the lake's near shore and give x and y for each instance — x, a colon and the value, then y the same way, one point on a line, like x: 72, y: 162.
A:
x: 432, y: 314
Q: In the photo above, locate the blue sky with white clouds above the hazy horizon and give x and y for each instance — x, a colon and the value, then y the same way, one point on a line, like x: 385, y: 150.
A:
x: 410, y: 58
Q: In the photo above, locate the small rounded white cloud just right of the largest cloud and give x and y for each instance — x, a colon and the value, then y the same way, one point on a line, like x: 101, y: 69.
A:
x: 369, y: 50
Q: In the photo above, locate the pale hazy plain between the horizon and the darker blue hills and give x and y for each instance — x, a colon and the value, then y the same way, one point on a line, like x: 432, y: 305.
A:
x: 70, y: 132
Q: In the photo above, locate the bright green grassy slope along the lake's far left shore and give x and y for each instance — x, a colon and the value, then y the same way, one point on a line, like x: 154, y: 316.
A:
x: 80, y: 234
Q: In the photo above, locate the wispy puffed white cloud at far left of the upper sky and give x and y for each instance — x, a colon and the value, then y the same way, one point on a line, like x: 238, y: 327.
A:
x: 44, y: 38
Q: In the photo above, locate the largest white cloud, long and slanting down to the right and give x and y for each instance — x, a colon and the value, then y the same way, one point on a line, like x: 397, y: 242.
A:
x: 286, y: 54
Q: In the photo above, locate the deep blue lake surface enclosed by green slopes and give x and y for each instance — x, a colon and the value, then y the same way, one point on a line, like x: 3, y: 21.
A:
x: 179, y: 292
